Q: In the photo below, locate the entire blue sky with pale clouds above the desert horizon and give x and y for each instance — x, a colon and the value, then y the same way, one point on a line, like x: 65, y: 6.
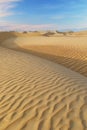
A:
x: 43, y: 14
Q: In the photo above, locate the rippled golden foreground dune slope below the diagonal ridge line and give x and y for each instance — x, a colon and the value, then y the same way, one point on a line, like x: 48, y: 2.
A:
x: 37, y: 94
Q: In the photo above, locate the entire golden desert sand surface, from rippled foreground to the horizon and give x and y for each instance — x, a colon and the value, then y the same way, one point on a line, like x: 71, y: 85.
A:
x: 43, y: 81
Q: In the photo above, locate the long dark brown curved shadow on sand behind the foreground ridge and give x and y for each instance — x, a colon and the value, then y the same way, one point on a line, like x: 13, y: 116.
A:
x: 76, y: 65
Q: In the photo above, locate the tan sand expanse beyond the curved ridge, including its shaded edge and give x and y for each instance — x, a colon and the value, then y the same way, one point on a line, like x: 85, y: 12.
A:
x: 70, y: 52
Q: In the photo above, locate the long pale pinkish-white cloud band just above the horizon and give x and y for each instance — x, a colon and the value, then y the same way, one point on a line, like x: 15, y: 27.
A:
x: 6, y: 26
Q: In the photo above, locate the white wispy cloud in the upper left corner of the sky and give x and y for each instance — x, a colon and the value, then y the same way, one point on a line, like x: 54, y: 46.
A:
x: 6, y: 7
